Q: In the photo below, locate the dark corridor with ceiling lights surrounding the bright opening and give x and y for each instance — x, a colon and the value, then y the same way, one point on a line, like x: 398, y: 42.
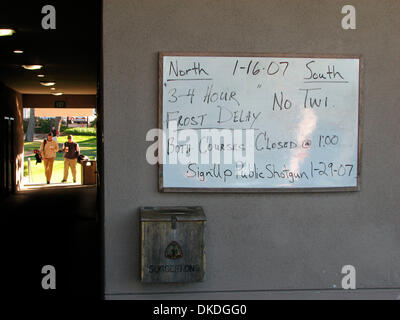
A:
x: 49, y: 226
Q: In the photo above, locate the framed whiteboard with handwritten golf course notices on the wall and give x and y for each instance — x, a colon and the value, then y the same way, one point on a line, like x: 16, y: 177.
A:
x: 258, y: 122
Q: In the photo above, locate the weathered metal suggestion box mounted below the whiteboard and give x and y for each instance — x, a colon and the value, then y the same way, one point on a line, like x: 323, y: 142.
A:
x: 172, y: 244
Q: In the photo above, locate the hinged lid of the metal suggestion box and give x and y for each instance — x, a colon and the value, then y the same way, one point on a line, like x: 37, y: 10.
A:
x: 150, y: 214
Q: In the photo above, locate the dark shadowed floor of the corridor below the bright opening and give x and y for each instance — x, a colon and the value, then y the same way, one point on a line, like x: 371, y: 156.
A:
x: 56, y: 226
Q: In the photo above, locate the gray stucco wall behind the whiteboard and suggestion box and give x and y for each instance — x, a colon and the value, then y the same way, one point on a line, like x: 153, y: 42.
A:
x: 255, y: 242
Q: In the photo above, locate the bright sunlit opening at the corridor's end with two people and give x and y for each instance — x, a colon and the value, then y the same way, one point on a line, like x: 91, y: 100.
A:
x: 68, y: 126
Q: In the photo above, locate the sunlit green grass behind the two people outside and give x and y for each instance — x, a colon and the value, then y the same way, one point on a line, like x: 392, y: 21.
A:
x: 87, y: 144
